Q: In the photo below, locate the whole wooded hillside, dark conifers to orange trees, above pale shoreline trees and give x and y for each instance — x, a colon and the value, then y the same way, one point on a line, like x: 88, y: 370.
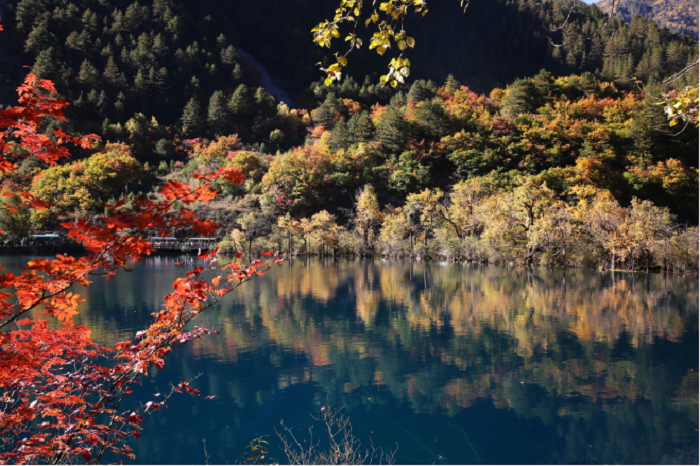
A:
x: 161, y: 78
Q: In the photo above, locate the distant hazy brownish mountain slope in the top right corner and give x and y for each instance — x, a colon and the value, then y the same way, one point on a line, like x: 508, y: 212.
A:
x: 676, y: 15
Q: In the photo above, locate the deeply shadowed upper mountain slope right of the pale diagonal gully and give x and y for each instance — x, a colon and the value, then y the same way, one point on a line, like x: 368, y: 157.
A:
x: 490, y: 45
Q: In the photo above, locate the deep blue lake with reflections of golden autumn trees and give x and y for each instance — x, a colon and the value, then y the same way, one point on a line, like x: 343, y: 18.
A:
x: 469, y: 364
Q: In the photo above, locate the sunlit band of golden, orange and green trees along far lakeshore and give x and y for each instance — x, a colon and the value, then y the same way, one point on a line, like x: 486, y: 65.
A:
x: 565, y: 171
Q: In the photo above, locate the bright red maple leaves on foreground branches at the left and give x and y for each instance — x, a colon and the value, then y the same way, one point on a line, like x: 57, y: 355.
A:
x: 63, y: 395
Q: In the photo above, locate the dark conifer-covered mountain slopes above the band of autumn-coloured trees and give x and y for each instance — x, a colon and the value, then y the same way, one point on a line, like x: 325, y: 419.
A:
x: 176, y: 60
